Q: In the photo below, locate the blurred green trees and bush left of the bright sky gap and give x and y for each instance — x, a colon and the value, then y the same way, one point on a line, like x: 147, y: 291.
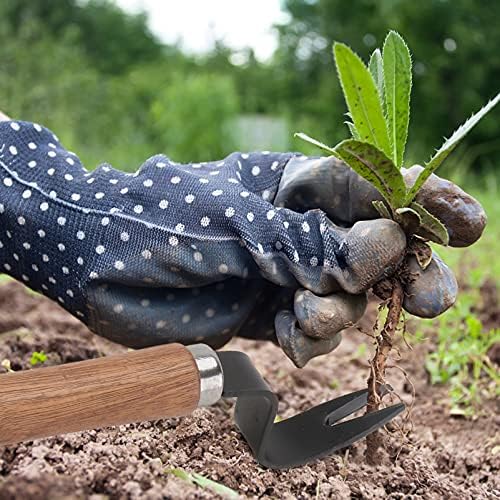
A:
x: 94, y: 73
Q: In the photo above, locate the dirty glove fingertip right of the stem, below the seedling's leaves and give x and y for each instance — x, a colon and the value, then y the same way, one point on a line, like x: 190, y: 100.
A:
x: 432, y: 290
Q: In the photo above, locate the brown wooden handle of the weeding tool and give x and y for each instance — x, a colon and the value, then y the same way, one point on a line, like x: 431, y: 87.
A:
x: 141, y: 385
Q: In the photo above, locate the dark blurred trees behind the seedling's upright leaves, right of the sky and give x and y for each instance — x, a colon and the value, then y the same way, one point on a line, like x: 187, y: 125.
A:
x: 456, y: 61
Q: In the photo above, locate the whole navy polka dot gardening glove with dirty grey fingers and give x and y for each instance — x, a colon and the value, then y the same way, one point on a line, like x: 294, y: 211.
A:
x: 261, y: 245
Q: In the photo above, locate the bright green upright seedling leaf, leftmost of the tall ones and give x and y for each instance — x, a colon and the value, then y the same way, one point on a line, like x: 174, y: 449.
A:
x: 362, y: 98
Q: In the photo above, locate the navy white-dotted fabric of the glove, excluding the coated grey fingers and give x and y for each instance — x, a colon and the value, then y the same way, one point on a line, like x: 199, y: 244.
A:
x: 171, y: 253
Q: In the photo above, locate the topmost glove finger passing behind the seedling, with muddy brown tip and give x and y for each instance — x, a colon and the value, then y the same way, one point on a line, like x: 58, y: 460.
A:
x: 346, y: 198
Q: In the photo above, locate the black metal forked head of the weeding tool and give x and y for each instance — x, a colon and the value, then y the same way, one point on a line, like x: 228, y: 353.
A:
x: 303, y: 438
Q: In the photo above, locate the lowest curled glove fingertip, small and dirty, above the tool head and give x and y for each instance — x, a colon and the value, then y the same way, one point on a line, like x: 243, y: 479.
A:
x: 298, y: 346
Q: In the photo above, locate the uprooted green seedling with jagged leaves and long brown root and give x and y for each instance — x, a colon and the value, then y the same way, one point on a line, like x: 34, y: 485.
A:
x: 378, y: 99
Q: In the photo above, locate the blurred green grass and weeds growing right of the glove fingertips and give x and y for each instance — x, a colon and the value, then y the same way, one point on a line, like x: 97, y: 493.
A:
x: 466, y: 333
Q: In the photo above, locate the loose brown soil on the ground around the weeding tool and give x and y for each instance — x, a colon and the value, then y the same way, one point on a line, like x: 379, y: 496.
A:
x: 441, y: 458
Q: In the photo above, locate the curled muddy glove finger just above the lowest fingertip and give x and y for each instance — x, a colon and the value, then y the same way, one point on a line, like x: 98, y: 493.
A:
x: 324, y: 317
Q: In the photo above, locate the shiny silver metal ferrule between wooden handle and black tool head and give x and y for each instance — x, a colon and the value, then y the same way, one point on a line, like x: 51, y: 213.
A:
x: 211, y: 374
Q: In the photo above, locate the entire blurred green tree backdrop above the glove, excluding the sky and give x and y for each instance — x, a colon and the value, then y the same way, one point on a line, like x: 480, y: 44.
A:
x: 113, y: 92
